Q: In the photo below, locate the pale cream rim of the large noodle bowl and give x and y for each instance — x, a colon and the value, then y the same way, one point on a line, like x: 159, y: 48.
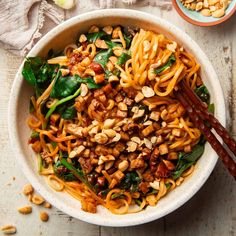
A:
x: 32, y: 175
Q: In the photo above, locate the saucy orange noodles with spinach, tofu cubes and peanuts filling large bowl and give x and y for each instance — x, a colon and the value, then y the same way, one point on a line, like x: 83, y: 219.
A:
x: 124, y: 141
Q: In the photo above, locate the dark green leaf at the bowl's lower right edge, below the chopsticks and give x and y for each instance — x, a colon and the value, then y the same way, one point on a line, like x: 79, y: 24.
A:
x: 187, y: 159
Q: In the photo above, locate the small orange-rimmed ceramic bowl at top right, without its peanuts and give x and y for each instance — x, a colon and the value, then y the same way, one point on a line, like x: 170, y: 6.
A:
x: 197, y: 18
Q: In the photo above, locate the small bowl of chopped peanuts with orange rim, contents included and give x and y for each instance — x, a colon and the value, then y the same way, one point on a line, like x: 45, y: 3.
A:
x: 205, y: 12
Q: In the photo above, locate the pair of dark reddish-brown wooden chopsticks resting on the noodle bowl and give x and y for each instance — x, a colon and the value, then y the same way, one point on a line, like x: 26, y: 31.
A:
x: 199, y: 115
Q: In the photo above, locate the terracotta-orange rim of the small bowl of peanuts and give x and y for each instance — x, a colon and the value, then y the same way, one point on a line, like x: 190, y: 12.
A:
x: 199, y: 23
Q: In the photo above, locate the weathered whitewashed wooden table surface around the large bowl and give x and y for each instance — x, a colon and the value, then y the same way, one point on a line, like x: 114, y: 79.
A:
x: 212, y: 211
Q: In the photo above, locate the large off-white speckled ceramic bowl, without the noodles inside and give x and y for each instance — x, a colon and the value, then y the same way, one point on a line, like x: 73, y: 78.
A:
x: 18, y: 111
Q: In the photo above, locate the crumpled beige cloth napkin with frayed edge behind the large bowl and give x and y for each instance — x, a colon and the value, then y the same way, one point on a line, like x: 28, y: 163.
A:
x: 21, y: 21
